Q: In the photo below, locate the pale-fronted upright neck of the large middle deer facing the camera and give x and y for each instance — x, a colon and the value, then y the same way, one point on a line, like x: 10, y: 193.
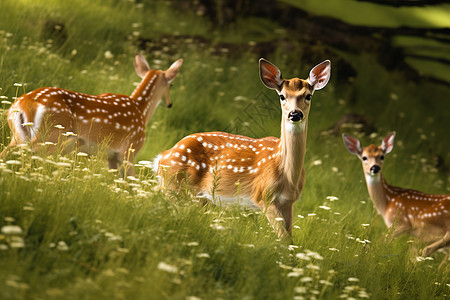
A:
x: 292, y: 150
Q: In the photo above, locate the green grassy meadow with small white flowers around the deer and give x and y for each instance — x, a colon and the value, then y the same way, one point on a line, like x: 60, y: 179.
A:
x: 72, y: 229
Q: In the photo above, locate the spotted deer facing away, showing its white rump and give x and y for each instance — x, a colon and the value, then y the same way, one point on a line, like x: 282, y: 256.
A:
x: 119, y: 120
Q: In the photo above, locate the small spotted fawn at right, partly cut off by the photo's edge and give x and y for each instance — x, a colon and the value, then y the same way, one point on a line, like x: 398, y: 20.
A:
x: 408, y: 211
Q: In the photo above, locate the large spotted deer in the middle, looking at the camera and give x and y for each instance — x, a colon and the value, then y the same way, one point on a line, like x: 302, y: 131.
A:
x: 266, y: 173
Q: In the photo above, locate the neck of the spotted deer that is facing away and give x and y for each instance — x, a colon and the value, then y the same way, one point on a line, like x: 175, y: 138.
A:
x: 147, y: 94
